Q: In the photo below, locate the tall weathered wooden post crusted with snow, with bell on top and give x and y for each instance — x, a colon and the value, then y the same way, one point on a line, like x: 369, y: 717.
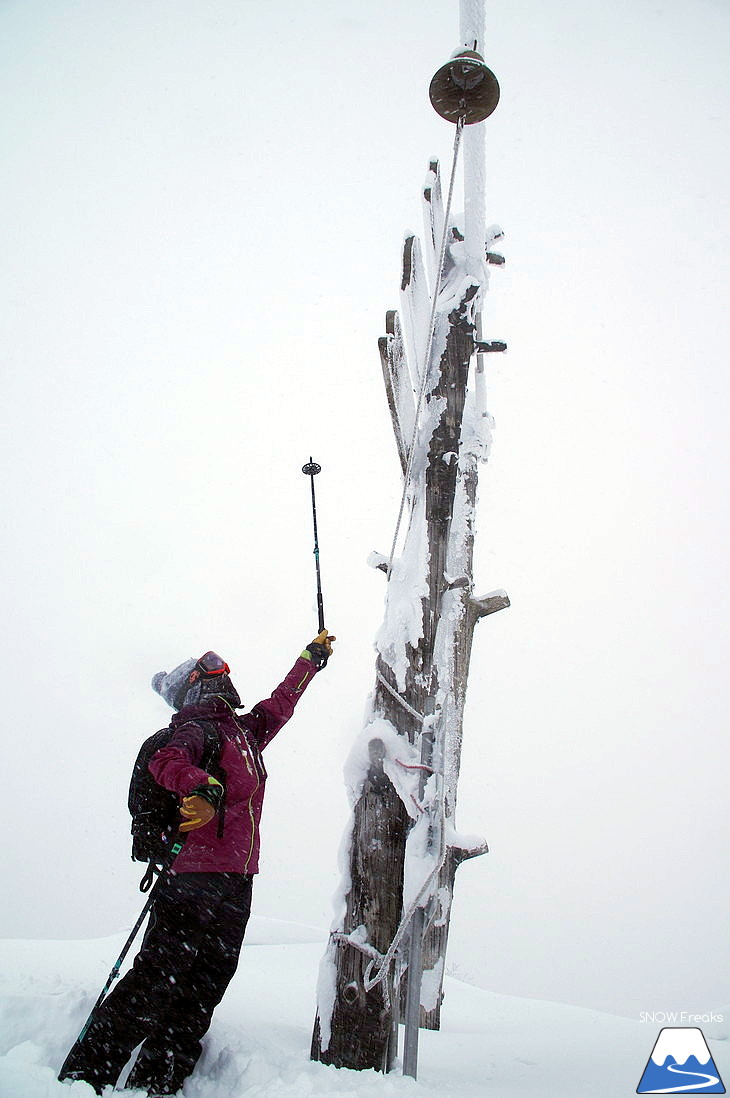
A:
x: 403, y: 848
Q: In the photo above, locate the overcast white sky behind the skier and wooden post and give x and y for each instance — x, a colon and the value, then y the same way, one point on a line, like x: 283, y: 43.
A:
x: 203, y: 214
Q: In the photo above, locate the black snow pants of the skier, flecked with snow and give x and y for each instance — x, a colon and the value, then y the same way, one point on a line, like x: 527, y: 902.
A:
x: 188, y: 958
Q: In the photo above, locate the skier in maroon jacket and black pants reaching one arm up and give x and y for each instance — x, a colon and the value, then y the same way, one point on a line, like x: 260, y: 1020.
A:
x: 190, y: 950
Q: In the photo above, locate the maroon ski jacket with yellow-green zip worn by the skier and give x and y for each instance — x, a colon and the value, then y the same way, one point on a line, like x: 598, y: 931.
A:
x: 243, y: 738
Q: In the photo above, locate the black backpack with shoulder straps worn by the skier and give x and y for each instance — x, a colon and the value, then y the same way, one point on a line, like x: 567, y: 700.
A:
x: 155, y: 811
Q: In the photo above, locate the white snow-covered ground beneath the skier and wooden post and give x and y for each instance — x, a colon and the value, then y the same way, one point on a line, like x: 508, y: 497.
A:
x: 490, y: 1047
